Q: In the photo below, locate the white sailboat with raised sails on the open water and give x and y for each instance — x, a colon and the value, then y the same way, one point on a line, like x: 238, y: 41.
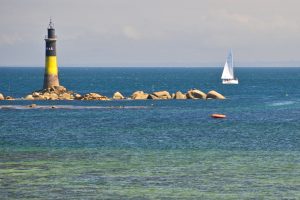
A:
x: 228, y: 73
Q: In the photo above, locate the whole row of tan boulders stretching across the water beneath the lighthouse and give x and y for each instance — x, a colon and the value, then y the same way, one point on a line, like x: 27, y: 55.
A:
x: 62, y: 93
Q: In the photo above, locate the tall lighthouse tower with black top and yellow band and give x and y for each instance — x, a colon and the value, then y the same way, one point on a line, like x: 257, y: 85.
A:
x: 51, y: 69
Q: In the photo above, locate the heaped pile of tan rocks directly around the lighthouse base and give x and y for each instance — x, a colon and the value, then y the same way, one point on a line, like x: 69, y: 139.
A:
x: 53, y: 93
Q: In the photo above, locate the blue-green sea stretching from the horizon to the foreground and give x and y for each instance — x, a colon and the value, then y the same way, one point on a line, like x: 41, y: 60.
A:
x: 152, y: 149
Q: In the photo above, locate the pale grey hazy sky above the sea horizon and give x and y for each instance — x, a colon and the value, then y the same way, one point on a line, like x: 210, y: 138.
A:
x: 152, y: 33
